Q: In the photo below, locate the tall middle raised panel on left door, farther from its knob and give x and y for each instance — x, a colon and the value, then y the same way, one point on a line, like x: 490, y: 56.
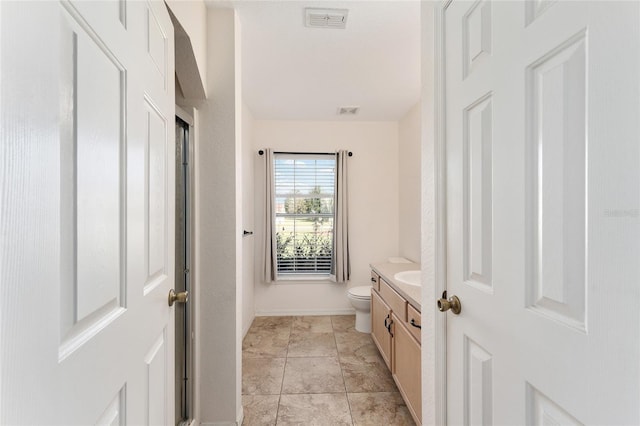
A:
x: 93, y: 284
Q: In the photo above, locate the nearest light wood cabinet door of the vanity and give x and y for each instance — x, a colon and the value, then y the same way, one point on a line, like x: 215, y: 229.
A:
x: 407, y: 367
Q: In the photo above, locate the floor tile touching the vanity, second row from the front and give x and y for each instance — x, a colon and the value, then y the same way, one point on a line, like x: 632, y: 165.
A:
x: 360, y: 376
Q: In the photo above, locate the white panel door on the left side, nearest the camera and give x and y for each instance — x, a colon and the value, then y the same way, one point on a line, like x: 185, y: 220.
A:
x: 87, y: 113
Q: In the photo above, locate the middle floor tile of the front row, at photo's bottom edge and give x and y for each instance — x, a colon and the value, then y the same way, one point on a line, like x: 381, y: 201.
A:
x: 314, y: 410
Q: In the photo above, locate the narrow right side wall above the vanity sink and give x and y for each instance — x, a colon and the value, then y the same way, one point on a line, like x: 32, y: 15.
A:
x: 409, y: 140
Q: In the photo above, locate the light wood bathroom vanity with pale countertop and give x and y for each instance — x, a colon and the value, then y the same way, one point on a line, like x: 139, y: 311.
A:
x: 395, y: 329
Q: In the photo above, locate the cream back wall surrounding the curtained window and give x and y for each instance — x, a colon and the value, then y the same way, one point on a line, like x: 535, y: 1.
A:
x: 373, y: 206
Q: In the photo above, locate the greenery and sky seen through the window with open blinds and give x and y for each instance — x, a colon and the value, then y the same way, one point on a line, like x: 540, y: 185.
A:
x: 304, y: 213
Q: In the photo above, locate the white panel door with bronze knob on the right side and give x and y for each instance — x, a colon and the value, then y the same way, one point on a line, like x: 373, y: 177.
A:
x: 543, y: 211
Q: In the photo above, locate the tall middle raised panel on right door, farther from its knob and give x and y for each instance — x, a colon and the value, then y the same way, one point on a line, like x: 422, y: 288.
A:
x: 557, y: 187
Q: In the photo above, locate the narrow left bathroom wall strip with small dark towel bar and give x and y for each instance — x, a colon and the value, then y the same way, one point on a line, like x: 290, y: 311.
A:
x: 248, y: 242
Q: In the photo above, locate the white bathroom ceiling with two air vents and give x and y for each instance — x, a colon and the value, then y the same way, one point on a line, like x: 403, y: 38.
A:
x: 292, y: 72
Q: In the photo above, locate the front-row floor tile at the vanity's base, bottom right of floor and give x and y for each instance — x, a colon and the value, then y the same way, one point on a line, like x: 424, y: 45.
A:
x: 380, y: 408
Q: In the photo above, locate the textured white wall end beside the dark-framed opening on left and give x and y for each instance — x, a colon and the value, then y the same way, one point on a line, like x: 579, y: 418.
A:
x: 218, y: 228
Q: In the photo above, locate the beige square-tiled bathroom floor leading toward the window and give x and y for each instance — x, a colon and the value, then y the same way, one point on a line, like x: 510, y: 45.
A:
x: 316, y: 371
